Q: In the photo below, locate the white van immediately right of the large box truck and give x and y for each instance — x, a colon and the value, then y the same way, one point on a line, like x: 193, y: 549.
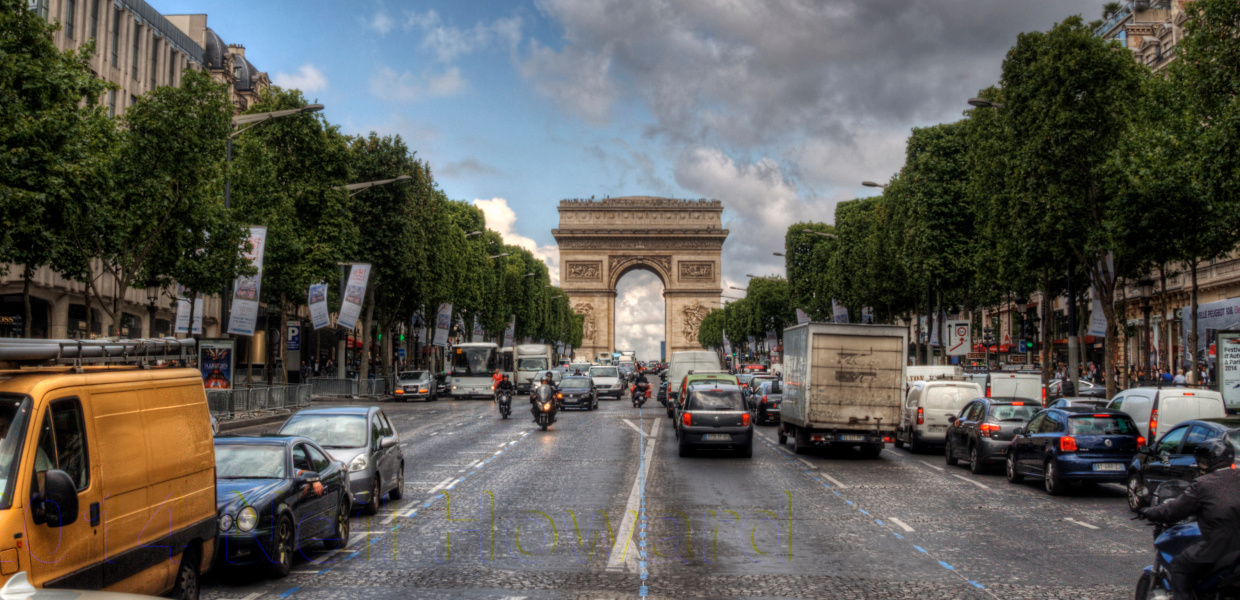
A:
x: 928, y: 408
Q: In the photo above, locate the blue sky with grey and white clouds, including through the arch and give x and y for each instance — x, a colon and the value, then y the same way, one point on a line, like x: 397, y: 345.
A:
x: 779, y: 108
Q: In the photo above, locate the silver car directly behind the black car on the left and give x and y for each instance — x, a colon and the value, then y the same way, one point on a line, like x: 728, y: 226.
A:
x: 363, y: 438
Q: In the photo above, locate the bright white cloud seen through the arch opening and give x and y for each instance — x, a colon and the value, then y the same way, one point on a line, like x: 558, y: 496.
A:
x: 640, y: 314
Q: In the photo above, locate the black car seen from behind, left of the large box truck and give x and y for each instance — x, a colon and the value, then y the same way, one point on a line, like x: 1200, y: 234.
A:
x: 715, y: 417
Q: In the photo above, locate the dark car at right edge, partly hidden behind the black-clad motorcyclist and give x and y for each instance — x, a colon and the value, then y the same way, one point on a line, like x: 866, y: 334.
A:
x: 1171, y: 458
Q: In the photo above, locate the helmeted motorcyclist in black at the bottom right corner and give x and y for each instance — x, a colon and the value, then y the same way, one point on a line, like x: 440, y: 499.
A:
x: 1215, y: 500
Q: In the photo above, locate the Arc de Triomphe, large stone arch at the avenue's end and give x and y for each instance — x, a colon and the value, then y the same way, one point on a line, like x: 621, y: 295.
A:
x: 679, y: 241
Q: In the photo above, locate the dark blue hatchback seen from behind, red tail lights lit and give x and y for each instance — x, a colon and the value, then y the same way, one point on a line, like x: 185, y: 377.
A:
x: 1073, y: 446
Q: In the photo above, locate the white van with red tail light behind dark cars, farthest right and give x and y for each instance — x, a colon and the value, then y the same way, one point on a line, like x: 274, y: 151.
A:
x: 1159, y: 410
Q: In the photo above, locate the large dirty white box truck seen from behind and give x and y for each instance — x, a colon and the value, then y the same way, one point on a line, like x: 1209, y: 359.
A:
x: 843, y: 385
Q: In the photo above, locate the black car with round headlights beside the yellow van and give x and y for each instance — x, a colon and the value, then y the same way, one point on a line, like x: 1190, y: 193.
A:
x: 276, y: 496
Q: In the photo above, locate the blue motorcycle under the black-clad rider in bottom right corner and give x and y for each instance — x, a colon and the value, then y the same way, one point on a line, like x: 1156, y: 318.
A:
x: 1171, y: 541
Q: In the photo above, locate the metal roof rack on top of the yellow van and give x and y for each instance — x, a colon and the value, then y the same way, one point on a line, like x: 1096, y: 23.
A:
x: 27, y: 353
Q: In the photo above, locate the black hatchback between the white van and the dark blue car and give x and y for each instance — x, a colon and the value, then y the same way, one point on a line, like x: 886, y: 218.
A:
x: 984, y: 431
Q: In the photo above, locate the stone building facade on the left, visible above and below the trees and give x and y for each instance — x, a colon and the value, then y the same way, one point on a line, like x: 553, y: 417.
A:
x: 138, y: 50
